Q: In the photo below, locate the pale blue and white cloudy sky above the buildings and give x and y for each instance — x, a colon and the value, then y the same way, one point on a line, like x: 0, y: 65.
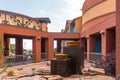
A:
x: 57, y: 10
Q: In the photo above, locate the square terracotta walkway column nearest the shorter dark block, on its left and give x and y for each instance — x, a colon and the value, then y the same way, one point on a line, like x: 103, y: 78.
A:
x: 50, y: 48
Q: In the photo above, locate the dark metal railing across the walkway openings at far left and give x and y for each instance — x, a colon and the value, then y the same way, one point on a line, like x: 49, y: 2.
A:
x: 19, y: 59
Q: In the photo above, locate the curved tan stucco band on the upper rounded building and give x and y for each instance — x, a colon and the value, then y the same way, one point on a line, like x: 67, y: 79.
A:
x: 98, y: 10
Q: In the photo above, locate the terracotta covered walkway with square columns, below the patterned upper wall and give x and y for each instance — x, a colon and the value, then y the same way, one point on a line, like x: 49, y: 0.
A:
x: 43, y: 42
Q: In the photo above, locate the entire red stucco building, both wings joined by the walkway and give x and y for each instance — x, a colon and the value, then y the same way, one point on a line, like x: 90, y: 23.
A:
x: 99, y: 34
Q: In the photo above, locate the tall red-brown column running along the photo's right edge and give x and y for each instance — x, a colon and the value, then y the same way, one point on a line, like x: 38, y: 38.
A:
x: 117, y: 37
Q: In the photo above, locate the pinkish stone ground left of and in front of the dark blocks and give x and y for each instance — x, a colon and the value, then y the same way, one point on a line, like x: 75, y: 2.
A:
x: 45, y: 66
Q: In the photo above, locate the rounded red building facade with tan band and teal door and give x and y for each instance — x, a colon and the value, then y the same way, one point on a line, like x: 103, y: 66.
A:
x: 98, y: 36
